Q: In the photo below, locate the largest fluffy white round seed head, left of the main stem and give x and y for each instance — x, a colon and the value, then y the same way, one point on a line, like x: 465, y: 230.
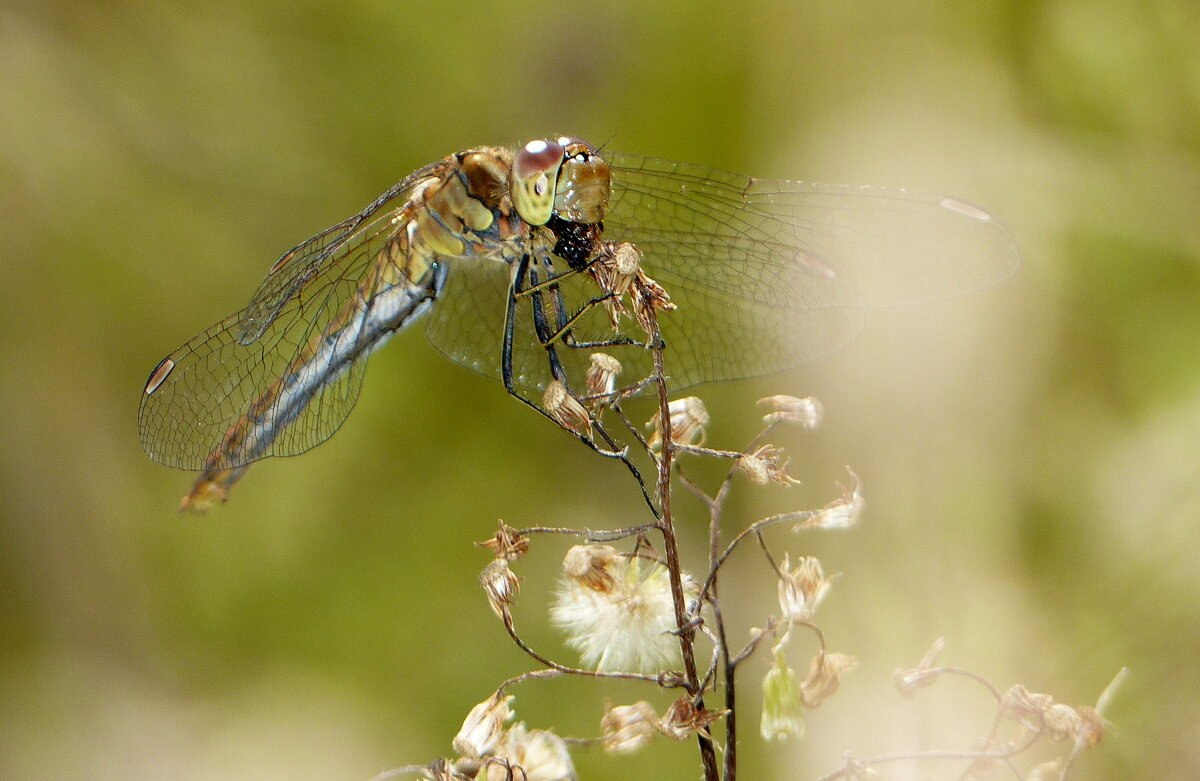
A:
x: 623, y: 623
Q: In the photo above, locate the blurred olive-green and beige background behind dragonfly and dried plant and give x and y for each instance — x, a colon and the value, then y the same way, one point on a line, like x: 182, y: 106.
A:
x: 1030, y: 454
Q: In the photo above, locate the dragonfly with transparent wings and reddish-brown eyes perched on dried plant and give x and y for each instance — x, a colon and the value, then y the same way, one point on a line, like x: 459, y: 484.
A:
x: 509, y: 256
